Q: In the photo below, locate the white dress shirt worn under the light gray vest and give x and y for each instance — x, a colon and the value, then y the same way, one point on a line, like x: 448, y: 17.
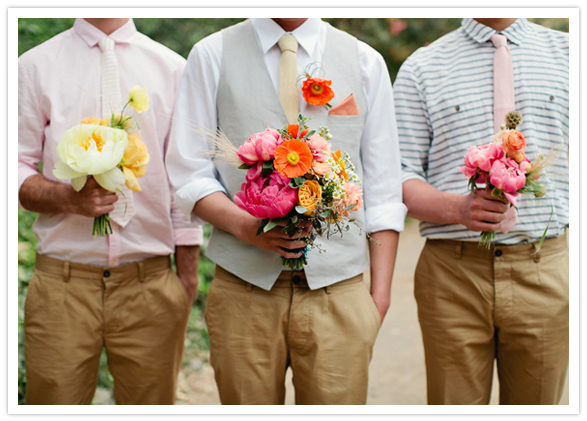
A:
x: 194, y: 176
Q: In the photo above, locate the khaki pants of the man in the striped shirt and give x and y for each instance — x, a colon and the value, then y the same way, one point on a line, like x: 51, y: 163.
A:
x: 506, y: 304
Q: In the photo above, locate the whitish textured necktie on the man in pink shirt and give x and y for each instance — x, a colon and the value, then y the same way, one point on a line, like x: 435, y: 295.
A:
x: 111, y: 101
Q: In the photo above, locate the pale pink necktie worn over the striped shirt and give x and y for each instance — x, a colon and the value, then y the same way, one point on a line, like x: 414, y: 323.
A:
x: 503, y: 81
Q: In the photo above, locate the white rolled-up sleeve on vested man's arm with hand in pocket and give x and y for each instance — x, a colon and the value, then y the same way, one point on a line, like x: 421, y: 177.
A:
x: 384, y: 208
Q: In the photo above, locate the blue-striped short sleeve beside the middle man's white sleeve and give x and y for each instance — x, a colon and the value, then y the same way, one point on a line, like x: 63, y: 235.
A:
x: 413, y: 124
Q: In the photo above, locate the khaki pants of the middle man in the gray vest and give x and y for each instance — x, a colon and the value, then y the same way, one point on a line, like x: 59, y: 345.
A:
x: 325, y: 335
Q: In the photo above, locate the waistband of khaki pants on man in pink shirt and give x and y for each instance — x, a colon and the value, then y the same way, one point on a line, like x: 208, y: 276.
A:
x: 78, y: 270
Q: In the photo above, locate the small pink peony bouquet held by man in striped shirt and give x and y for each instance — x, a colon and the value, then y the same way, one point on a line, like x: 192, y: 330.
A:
x: 505, y: 170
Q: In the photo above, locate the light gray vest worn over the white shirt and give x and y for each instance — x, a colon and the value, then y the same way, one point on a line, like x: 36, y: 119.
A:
x: 247, y: 103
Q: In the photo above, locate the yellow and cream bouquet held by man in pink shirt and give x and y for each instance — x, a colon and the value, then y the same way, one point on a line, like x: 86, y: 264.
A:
x: 109, y: 150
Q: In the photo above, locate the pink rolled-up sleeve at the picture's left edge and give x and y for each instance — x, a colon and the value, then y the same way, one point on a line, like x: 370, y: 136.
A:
x: 31, y: 126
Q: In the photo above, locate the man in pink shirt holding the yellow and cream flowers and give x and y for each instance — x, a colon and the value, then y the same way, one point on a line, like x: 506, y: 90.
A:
x: 116, y: 292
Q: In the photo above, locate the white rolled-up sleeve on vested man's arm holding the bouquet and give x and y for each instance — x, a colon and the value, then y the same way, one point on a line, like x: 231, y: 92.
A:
x: 191, y: 170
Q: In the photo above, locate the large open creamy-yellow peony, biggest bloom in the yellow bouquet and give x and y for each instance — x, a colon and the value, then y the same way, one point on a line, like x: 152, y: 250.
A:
x: 91, y: 149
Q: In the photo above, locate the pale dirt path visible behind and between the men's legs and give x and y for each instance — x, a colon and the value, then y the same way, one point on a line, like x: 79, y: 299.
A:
x: 397, y: 373
